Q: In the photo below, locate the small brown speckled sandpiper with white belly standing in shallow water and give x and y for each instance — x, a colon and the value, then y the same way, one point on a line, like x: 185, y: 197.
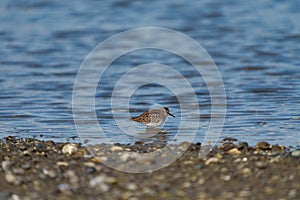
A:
x: 153, y: 117
